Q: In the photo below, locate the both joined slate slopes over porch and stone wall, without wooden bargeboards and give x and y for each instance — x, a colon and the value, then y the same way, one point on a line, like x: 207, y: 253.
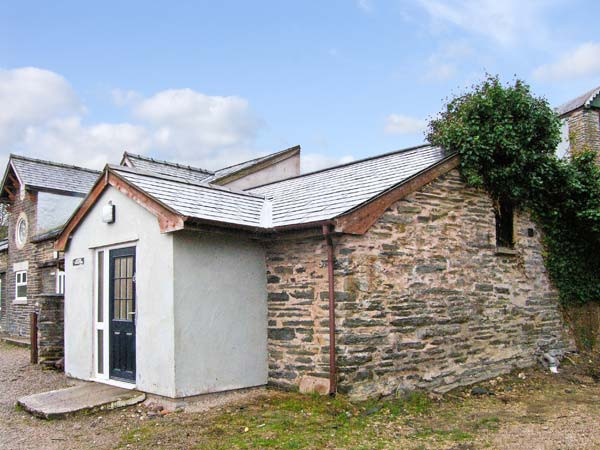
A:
x: 307, y: 198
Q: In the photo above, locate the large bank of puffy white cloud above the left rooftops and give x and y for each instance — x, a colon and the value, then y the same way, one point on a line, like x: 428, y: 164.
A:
x: 40, y: 115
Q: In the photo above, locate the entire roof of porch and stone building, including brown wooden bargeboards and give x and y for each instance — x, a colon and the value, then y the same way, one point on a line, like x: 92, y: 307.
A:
x: 306, y: 200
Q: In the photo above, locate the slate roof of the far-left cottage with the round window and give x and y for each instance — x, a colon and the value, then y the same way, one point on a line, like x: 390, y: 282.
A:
x: 48, y: 175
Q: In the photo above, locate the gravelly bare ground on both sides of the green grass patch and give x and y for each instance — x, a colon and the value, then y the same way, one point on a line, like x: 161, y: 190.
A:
x: 540, y: 411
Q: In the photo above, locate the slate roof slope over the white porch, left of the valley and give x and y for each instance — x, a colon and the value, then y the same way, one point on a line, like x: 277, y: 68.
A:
x: 199, y: 201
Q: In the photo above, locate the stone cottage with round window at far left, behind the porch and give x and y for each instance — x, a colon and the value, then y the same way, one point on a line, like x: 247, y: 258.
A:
x: 39, y: 196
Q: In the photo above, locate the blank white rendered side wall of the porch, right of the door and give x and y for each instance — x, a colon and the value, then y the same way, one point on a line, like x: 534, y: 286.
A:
x: 220, y: 313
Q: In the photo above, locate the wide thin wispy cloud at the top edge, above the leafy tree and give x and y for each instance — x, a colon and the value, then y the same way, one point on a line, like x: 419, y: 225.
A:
x: 505, y: 21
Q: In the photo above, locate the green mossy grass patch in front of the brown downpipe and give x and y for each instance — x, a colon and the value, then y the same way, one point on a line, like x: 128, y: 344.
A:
x: 291, y: 420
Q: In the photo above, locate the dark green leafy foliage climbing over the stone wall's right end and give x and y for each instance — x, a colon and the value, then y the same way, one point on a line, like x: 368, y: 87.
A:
x: 506, y: 138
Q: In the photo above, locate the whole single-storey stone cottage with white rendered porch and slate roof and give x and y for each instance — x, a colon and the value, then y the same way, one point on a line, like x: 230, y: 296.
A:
x: 382, y: 274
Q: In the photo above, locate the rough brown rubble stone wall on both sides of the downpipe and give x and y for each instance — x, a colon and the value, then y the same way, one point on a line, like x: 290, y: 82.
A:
x: 423, y: 300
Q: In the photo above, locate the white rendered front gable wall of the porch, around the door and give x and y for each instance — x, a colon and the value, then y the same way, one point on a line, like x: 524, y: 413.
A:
x: 154, y: 292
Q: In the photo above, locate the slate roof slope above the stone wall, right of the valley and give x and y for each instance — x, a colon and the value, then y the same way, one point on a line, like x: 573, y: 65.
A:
x: 328, y: 193
